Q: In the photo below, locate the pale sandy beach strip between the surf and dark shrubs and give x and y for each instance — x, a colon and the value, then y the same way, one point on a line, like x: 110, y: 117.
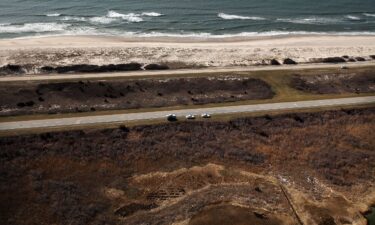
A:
x: 180, y: 52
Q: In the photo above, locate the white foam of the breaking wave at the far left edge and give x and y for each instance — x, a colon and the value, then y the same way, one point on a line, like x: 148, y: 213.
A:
x: 33, y: 27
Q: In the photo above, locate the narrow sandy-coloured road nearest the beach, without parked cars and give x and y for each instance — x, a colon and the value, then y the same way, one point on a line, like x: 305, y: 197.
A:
x: 177, y: 72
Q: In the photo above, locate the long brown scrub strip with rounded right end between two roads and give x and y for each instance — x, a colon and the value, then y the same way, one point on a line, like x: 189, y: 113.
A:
x: 29, y: 98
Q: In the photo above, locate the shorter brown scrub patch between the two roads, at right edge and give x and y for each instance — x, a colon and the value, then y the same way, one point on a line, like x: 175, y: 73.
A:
x: 335, y: 83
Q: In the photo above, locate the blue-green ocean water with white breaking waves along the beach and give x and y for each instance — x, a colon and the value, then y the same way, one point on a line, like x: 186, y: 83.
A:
x: 191, y: 18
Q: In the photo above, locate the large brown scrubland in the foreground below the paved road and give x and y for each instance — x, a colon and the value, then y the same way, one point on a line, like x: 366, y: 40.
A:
x: 62, y: 177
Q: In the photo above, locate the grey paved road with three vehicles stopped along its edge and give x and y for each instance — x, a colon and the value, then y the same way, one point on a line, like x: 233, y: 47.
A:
x: 161, y: 114
